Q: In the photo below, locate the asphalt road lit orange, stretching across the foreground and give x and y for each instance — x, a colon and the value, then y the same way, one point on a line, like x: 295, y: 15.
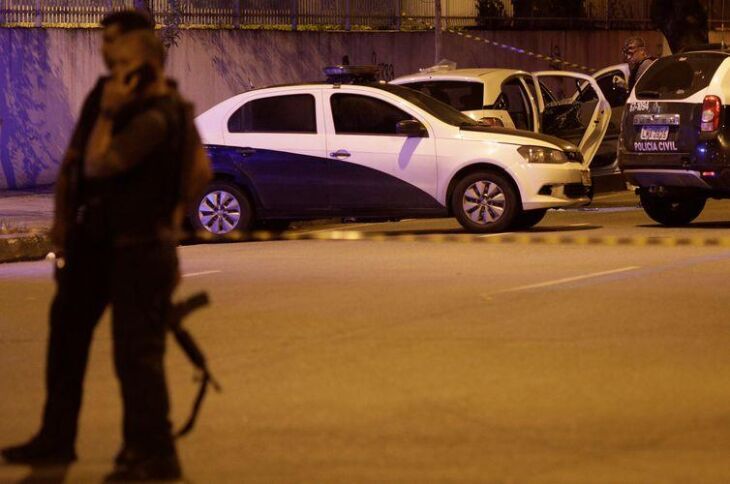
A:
x: 426, y: 362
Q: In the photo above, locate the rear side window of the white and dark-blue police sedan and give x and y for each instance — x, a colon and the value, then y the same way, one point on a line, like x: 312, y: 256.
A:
x: 276, y: 114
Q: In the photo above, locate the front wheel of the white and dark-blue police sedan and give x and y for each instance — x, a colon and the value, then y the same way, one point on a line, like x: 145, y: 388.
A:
x: 485, y: 202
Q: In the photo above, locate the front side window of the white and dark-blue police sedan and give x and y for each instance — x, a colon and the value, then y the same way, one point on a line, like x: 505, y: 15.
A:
x: 357, y: 114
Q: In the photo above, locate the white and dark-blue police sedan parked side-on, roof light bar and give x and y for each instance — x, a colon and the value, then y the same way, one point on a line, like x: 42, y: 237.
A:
x: 357, y: 148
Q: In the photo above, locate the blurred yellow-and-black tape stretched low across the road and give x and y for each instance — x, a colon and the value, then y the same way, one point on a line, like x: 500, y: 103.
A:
x: 467, y: 238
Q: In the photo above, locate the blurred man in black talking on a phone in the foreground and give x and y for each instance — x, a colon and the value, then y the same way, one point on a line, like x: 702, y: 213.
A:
x: 140, y: 168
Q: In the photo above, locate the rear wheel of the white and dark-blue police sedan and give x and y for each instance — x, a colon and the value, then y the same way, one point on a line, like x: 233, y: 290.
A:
x: 223, y: 208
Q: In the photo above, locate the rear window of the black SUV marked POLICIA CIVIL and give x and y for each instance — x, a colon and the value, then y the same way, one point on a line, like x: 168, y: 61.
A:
x: 678, y: 76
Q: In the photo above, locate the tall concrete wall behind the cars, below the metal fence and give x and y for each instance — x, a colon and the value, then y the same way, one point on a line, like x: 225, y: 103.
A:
x: 45, y: 73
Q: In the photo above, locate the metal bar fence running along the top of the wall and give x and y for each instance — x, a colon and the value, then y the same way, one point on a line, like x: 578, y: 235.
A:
x: 333, y: 14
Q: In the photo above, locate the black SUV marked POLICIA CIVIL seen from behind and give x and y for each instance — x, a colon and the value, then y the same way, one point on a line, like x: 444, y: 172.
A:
x: 675, y: 137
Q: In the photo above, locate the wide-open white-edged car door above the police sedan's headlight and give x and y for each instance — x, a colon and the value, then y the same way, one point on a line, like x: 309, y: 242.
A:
x: 578, y: 112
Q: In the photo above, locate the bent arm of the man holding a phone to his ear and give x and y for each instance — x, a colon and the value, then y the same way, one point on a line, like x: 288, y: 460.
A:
x: 110, y: 154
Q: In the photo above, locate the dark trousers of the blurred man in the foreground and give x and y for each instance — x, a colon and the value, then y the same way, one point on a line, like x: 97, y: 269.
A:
x: 138, y: 283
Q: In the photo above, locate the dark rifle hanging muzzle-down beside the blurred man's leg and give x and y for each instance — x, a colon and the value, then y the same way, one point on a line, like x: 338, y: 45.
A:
x: 178, y: 312
